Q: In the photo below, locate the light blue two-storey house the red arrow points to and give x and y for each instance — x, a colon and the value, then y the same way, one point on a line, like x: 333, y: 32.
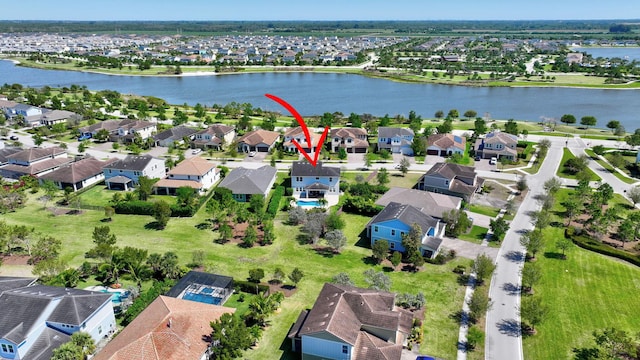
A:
x: 318, y: 181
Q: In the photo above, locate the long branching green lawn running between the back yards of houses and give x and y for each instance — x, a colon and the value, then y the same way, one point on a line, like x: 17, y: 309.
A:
x: 183, y: 236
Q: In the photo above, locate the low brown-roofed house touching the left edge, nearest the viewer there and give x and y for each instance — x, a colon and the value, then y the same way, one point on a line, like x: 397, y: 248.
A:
x: 34, y: 162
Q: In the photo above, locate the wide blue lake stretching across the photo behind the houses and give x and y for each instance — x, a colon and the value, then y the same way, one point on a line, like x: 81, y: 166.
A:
x: 315, y: 93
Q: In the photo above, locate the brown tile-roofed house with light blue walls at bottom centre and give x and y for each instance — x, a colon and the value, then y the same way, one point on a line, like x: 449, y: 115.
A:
x: 347, y: 322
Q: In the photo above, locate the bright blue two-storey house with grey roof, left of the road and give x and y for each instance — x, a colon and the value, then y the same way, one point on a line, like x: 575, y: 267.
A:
x: 392, y: 223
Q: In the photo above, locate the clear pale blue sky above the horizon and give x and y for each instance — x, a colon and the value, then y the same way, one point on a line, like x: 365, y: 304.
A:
x: 318, y: 9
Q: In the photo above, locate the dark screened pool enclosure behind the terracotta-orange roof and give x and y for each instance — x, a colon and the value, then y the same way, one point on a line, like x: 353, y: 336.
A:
x: 203, y: 287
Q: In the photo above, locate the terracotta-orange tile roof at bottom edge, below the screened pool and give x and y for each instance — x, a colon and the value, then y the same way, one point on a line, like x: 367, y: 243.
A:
x: 168, y: 329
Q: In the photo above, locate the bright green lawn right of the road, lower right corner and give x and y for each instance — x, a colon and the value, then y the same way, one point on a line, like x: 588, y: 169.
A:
x: 584, y: 293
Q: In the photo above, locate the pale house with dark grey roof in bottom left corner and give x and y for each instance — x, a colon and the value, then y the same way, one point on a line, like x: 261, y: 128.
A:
x: 38, y: 318
